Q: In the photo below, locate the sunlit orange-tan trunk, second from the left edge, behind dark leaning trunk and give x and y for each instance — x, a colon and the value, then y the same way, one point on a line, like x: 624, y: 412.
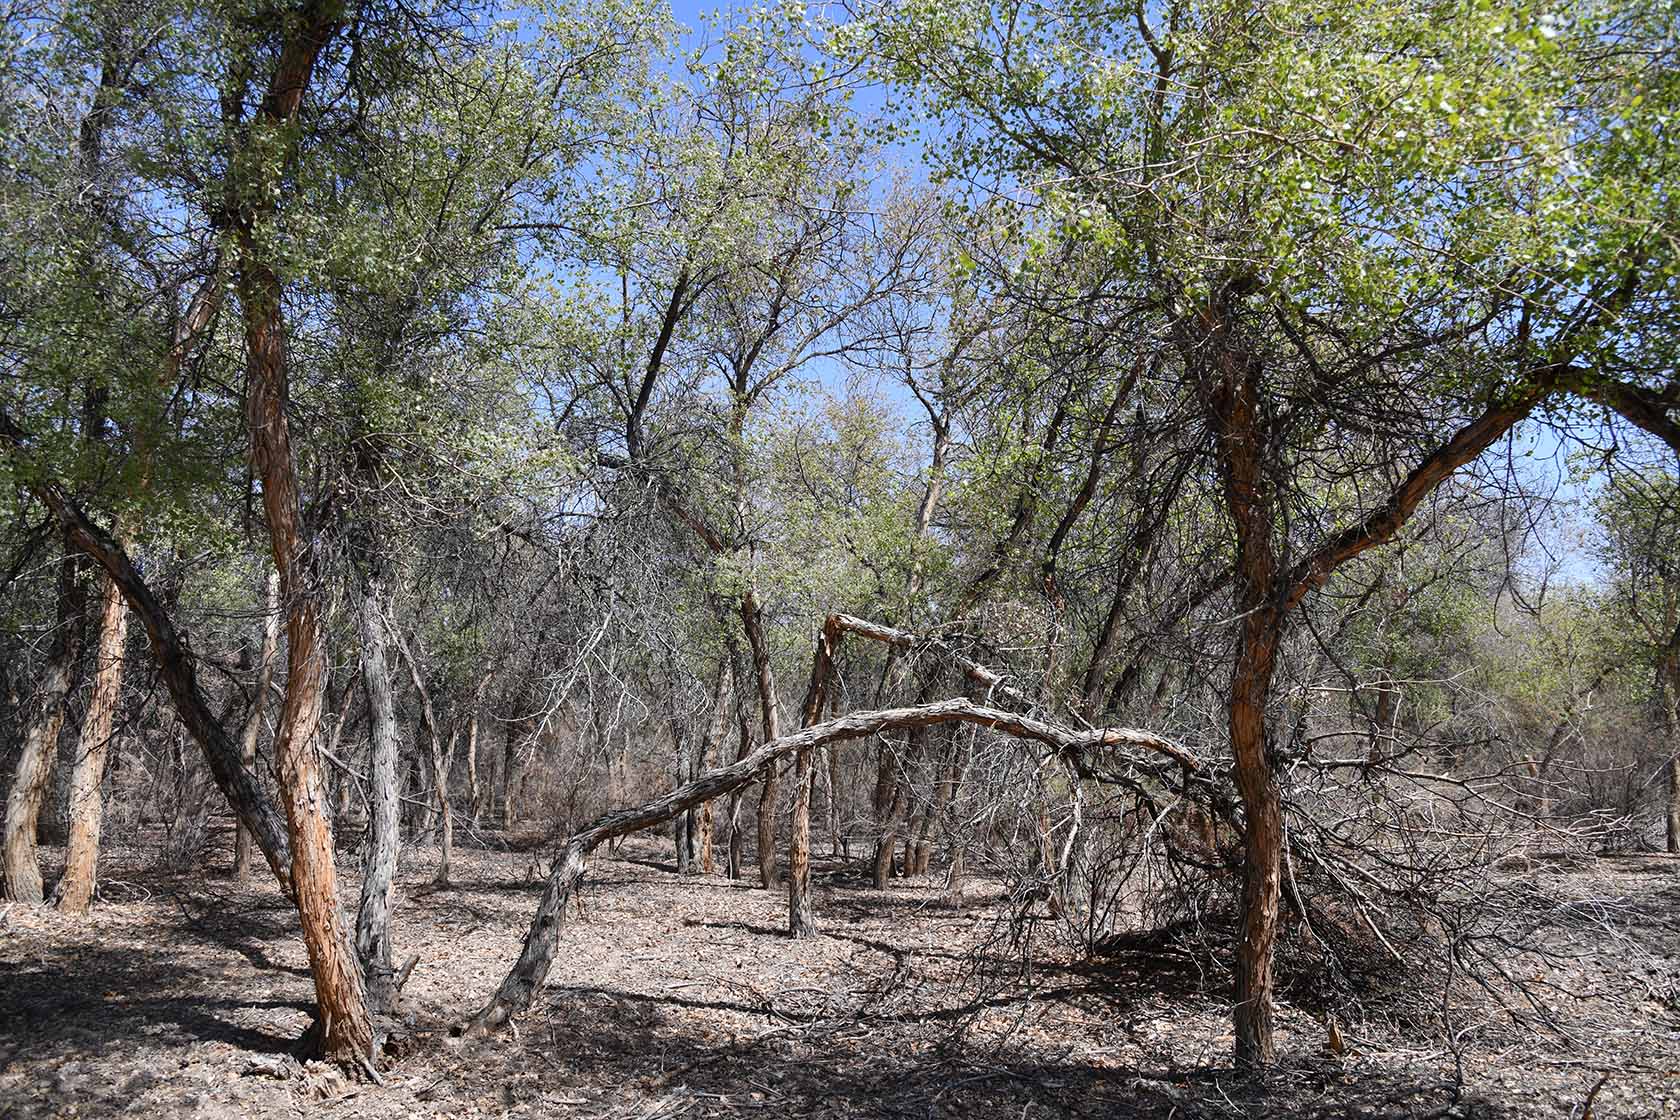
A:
x: 81, y: 862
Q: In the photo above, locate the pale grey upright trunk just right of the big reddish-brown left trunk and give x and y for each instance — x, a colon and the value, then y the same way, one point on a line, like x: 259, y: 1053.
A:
x: 379, y: 869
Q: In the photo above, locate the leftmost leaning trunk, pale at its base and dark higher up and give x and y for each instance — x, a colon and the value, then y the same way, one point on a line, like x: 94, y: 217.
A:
x: 19, y: 862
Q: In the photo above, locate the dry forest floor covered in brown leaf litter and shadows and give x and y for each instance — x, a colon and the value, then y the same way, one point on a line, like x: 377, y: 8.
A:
x: 182, y: 995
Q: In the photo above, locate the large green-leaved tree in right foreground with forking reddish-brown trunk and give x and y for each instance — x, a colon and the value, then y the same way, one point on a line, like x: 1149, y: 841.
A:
x: 1318, y: 211
